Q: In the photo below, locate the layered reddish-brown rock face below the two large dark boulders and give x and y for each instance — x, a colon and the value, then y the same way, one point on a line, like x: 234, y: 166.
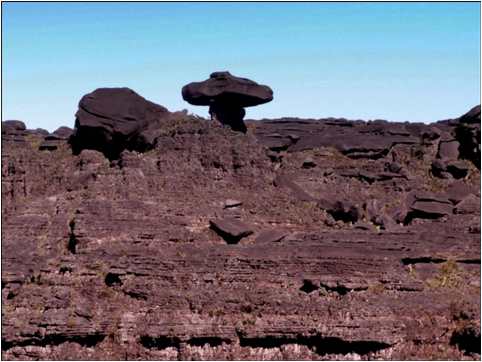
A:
x: 301, y: 239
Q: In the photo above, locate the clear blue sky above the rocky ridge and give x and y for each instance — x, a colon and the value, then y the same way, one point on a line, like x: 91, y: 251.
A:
x: 395, y: 61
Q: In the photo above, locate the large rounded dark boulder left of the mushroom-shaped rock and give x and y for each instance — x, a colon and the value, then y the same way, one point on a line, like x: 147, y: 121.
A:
x: 112, y: 119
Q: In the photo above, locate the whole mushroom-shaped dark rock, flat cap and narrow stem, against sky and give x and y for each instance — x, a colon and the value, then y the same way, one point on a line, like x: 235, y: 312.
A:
x: 226, y: 96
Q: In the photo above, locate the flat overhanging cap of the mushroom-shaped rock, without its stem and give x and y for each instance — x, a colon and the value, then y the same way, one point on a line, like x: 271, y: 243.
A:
x: 224, y: 87
